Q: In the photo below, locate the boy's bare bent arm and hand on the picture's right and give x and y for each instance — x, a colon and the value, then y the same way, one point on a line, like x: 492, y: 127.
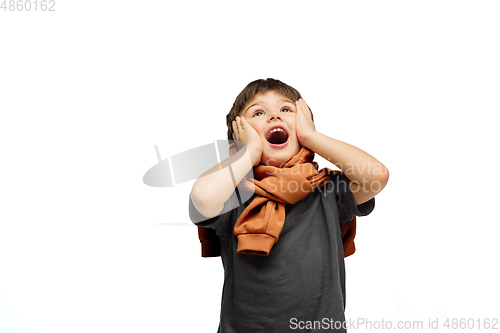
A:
x: 367, y: 175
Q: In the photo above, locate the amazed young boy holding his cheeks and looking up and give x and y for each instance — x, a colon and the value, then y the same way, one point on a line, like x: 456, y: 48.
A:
x: 282, y: 250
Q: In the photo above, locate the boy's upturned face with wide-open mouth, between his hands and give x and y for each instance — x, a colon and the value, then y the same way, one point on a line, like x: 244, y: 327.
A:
x: 272, y: 115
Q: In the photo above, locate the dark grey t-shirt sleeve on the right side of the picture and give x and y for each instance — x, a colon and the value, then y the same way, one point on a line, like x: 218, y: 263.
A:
x: 346, y: 205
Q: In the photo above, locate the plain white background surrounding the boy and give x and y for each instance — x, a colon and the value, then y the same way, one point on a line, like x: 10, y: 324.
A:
x: 88, y: 90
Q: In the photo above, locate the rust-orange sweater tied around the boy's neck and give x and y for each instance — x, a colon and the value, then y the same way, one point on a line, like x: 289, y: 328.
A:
x: 260, y: 224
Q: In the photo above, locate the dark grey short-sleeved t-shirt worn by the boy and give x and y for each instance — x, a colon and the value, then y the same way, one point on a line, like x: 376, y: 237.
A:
x: 301, y: 283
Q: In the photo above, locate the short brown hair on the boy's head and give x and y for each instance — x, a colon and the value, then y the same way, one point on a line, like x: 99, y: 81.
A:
x: 251, y: 90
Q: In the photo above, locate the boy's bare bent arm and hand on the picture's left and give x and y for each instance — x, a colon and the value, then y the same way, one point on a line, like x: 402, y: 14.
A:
x: 214, y: 187
